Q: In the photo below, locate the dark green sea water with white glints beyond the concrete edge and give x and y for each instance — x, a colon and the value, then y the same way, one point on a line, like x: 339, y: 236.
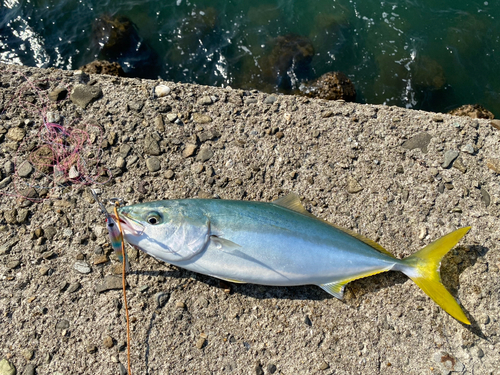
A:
x: 423, y: 54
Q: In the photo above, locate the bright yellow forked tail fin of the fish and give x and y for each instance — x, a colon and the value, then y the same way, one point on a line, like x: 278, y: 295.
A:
x: 423, y: 268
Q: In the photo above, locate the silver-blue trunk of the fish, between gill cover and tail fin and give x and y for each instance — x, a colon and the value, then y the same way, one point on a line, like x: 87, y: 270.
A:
x: 272, y: 245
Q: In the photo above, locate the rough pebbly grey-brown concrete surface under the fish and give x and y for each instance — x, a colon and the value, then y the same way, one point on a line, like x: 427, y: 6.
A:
x: 359, y: 166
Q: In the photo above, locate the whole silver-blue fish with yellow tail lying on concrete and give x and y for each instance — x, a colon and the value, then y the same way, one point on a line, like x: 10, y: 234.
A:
x: 276, y: 243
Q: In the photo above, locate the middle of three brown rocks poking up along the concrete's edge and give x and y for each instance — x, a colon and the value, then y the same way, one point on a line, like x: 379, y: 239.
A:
x: 330, y: 86
